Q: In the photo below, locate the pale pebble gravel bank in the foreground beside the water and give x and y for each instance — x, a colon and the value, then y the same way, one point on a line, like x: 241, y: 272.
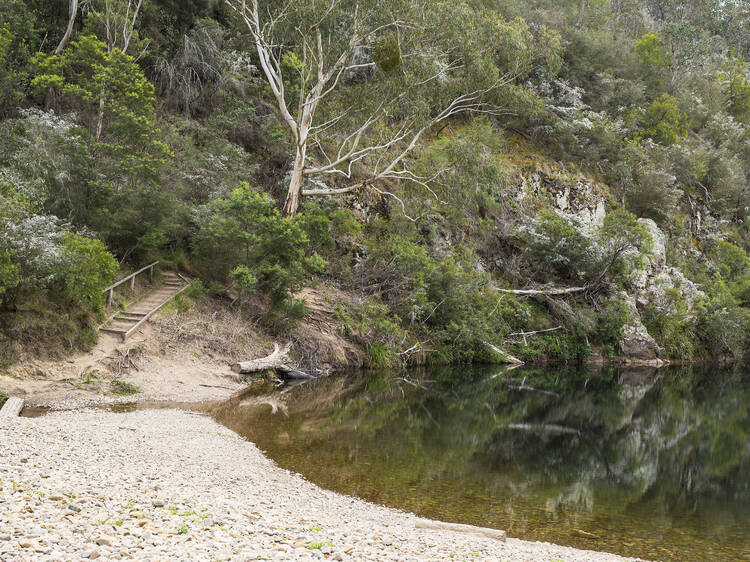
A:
x: 171, y: 485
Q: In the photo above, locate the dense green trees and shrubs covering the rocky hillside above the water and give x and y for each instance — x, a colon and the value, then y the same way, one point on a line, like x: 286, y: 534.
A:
x: 424, y: 158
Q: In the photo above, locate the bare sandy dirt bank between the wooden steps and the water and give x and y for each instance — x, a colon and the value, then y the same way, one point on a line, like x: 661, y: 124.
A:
x: 183, y: 355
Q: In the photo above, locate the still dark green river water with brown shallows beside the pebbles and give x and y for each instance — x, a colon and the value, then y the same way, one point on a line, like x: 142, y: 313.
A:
x: 652, y: 465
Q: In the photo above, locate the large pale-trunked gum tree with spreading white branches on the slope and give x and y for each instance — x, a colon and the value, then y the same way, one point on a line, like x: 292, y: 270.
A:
x: 307, y: 49
